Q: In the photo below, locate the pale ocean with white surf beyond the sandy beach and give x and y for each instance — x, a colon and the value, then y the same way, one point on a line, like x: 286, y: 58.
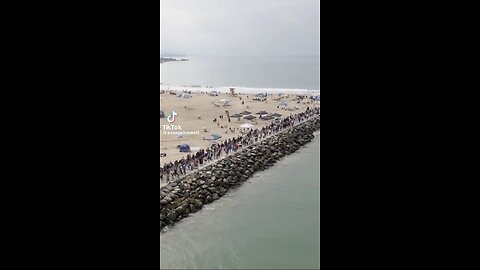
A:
x: 293, y: 72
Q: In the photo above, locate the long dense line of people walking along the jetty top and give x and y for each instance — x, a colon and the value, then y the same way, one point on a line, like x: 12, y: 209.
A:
x: 174, y: 170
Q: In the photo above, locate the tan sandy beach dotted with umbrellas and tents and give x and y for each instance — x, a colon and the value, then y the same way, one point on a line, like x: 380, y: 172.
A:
x: 197, y: 112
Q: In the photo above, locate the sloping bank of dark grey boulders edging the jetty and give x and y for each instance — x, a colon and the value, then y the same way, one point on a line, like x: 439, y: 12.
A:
x: 188, y: 195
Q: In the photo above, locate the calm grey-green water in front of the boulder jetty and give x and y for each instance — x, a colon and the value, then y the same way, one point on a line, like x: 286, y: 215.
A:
x: 270, y: 222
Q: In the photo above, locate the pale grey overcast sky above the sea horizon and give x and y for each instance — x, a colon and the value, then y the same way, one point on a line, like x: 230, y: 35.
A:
x: 240, y: 27
